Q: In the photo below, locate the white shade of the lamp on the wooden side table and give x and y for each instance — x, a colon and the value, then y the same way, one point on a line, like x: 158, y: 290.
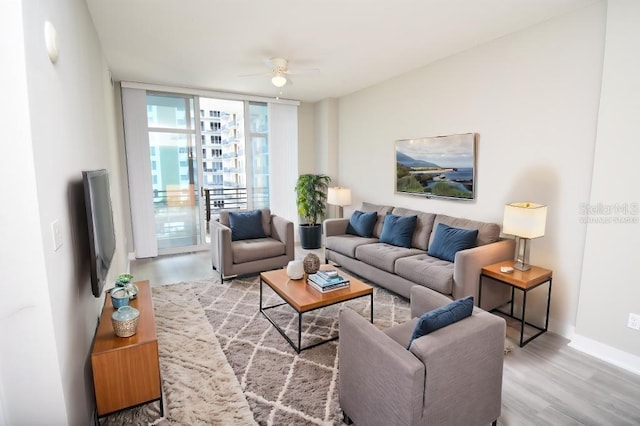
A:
x: 526, y: 220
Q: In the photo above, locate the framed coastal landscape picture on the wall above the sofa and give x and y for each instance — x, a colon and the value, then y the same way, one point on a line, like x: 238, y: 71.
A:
x: 442, y: 166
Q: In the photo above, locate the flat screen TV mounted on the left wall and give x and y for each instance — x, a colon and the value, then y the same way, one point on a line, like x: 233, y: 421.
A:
x: 102, y: 238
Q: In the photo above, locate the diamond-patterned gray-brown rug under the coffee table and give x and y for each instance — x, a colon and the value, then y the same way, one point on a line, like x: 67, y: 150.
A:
x: 281, y: 386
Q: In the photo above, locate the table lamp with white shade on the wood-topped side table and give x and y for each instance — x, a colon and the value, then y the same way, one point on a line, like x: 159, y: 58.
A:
x: 525, y: 221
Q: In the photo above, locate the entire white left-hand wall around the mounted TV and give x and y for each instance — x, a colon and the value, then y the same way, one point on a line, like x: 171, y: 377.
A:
x: 64, y: 123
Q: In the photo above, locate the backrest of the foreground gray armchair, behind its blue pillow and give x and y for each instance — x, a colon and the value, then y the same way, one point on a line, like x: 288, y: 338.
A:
x: 464, y: 365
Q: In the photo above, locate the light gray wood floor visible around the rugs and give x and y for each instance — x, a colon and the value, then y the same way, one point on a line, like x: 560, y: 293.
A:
x: 545, y: 383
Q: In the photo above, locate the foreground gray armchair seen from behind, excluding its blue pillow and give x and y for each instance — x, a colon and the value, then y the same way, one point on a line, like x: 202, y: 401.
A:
x: 452, y: 376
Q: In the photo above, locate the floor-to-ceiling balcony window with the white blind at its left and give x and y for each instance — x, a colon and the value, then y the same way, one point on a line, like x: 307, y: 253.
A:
x: 195, y: 156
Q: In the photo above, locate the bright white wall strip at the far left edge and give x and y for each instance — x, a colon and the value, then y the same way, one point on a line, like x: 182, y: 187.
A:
x: 30, y: 381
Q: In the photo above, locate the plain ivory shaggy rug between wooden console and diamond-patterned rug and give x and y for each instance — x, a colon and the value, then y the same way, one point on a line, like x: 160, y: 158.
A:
x: 198, y: 384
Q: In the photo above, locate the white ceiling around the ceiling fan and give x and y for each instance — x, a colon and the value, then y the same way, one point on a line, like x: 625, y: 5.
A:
x: 209, y: 44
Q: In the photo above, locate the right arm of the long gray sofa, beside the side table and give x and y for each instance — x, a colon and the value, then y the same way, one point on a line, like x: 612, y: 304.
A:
x: 468, y: 263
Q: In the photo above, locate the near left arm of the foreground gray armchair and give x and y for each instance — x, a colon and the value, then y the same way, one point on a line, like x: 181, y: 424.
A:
x: 380, y: 381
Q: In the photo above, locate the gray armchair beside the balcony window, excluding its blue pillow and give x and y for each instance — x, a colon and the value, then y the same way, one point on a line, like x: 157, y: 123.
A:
x: 232, y: 258
